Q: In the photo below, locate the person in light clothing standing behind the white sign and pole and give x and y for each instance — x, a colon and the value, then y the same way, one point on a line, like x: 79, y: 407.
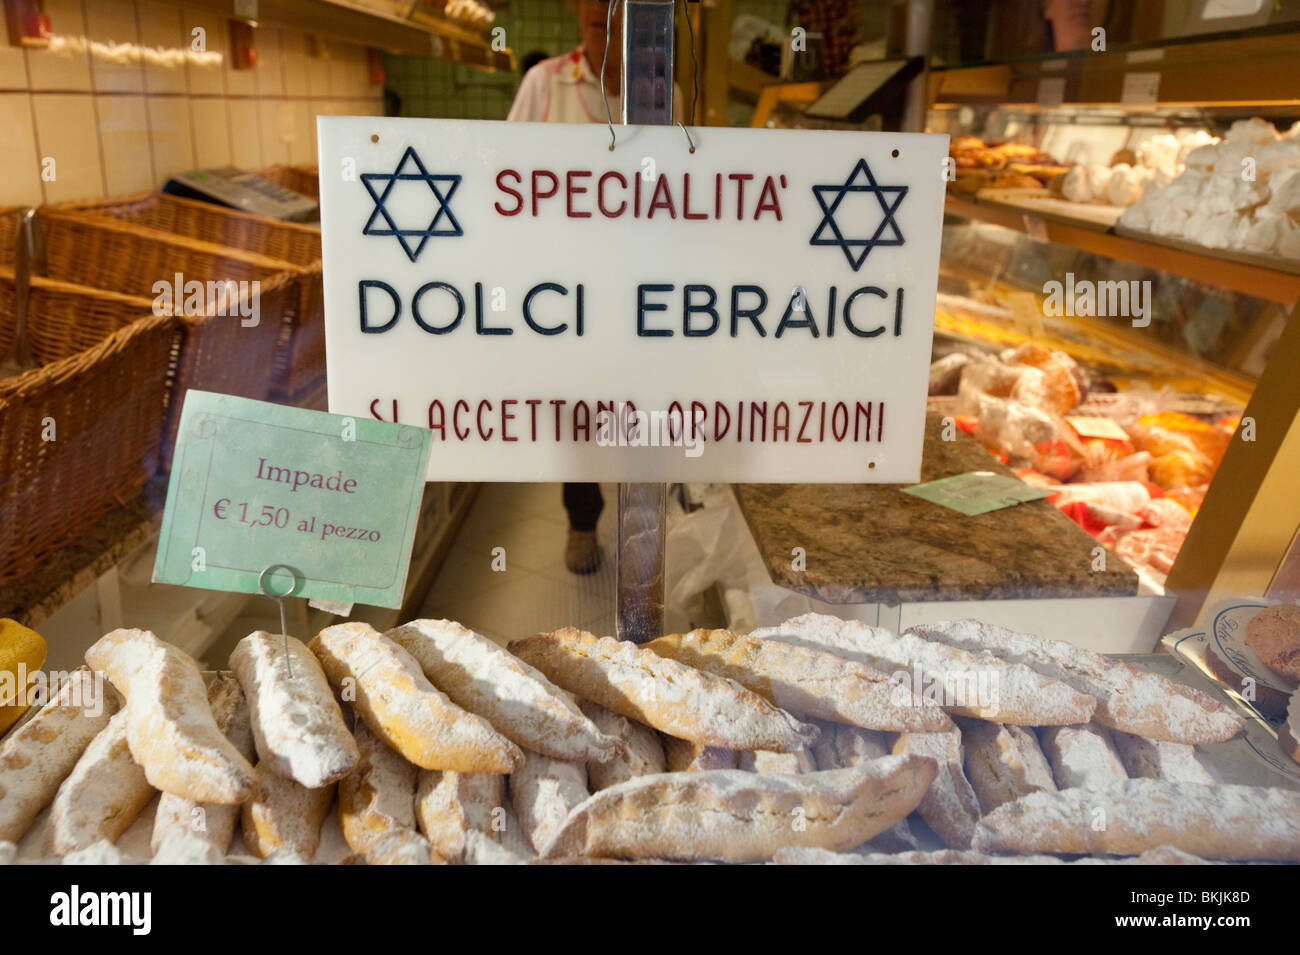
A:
x: 567, y: 89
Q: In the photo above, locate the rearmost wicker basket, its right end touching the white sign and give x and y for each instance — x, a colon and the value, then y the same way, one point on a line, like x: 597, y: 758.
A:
x: 301, y: 362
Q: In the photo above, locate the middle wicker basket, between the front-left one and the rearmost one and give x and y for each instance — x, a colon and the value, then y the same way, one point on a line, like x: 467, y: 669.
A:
x: 218, y: 353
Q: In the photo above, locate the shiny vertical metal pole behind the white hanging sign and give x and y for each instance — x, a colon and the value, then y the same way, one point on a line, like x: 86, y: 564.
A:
x: 648, y: 50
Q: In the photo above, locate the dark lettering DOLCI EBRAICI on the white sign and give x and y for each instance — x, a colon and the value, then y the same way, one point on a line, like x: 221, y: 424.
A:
x: 661, y: 310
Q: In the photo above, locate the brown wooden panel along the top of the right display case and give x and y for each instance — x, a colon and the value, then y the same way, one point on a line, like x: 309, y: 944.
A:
x: 1230, y: 72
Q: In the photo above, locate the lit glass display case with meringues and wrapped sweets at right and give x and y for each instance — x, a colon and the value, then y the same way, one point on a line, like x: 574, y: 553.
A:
x: 1129, y: 214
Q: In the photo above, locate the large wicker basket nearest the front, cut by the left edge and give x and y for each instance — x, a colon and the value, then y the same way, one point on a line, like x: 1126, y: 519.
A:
x: 103, y: 384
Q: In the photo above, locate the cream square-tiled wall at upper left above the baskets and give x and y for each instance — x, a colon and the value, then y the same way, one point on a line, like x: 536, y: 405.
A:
x: 122, y: 102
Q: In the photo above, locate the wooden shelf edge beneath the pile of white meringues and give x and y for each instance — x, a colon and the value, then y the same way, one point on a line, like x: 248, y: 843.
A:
x: 1273, y: 285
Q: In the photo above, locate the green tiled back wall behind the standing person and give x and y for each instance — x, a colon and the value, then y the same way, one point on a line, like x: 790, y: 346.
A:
x: 437, y: 88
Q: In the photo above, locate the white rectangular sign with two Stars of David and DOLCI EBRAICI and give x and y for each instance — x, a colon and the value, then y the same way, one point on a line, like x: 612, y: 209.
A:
x: 743, y: 306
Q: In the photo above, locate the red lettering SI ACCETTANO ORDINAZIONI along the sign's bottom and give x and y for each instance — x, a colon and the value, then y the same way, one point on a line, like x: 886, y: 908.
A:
x: 623, y: 424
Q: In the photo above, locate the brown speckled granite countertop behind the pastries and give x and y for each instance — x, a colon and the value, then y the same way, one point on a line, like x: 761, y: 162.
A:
x: 873, y: 544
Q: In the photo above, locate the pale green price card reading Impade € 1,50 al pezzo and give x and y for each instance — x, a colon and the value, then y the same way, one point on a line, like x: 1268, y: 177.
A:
x: 319, y: 505
